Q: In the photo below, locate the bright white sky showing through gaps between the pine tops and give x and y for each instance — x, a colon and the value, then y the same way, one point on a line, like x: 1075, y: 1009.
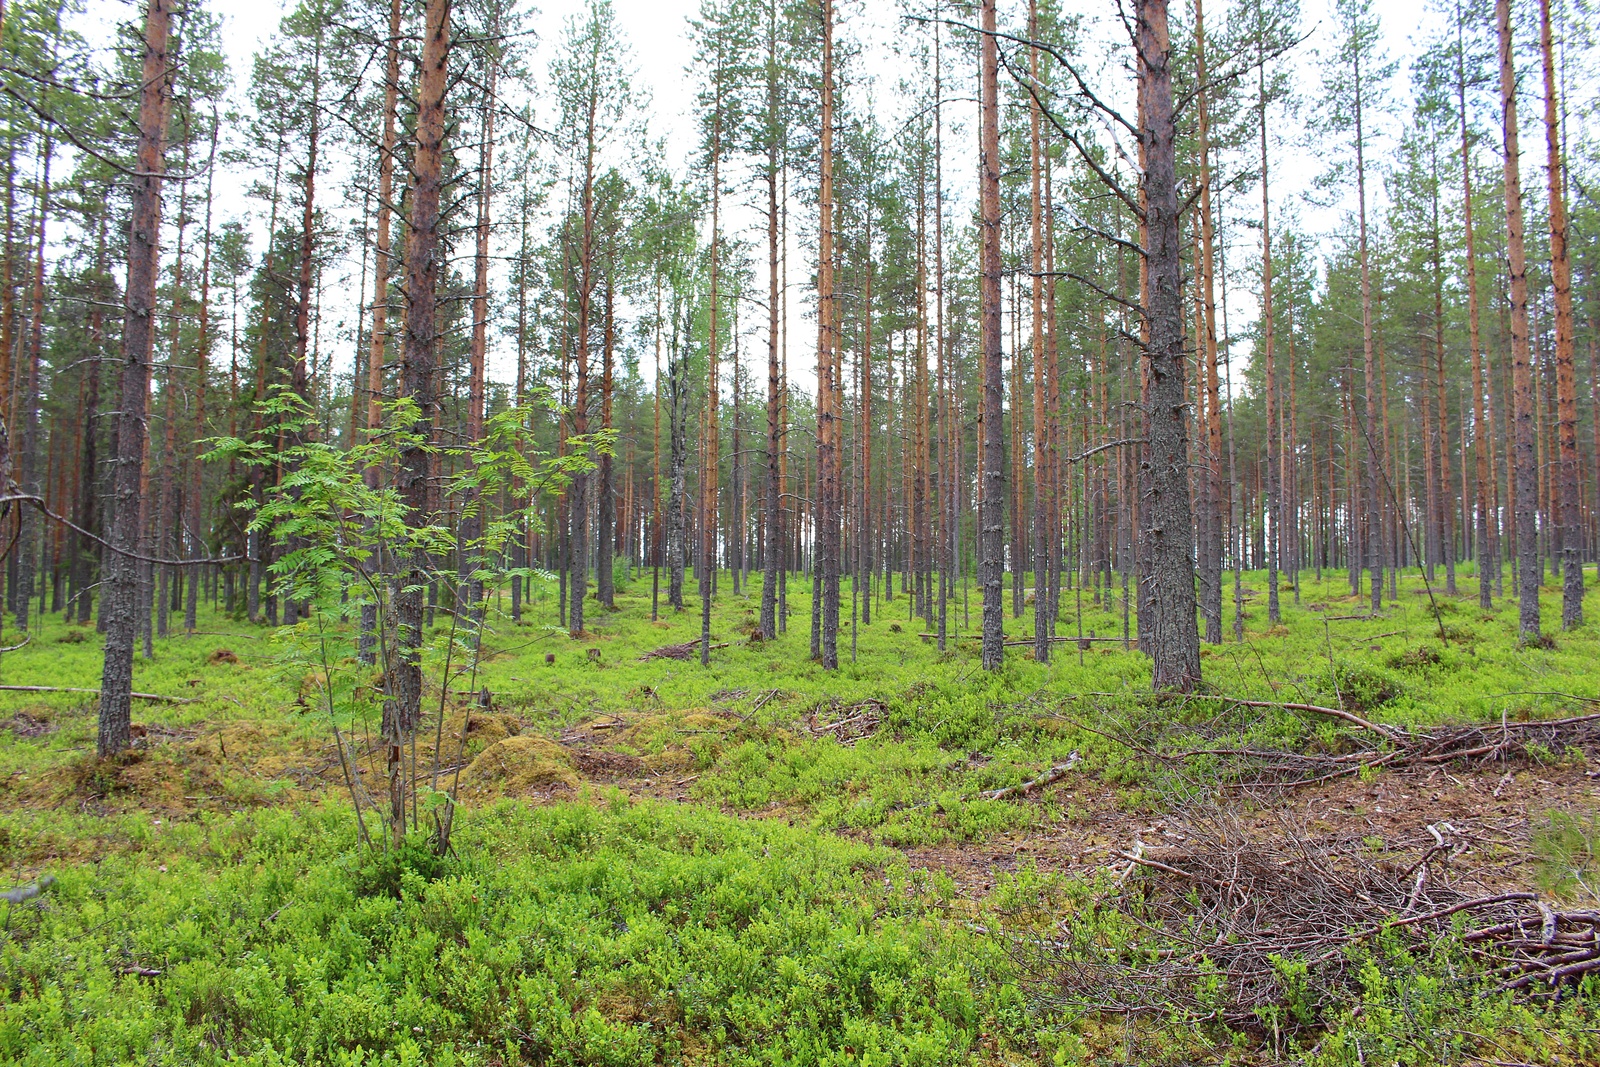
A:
x: 658, y: 33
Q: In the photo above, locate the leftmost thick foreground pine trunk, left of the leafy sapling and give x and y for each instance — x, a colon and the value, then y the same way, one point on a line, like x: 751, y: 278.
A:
x: 137, y: 342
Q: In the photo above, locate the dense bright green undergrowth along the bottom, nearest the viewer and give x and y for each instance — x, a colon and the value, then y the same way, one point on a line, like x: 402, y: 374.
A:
x: 620, y: 932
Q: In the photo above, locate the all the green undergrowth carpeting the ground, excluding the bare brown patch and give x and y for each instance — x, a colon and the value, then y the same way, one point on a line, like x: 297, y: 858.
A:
x: 703, y: 865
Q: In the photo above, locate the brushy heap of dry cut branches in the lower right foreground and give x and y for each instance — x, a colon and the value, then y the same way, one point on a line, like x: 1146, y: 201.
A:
x: 1242, y: 927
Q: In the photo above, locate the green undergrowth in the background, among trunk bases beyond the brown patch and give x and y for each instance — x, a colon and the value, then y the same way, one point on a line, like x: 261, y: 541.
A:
x: 753, y: 730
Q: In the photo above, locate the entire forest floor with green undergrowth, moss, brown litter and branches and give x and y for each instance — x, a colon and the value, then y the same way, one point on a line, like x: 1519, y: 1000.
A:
x: 905, y: 861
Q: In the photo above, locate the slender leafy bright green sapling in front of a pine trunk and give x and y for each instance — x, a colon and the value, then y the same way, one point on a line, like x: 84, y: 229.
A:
x: 342, y: 533
